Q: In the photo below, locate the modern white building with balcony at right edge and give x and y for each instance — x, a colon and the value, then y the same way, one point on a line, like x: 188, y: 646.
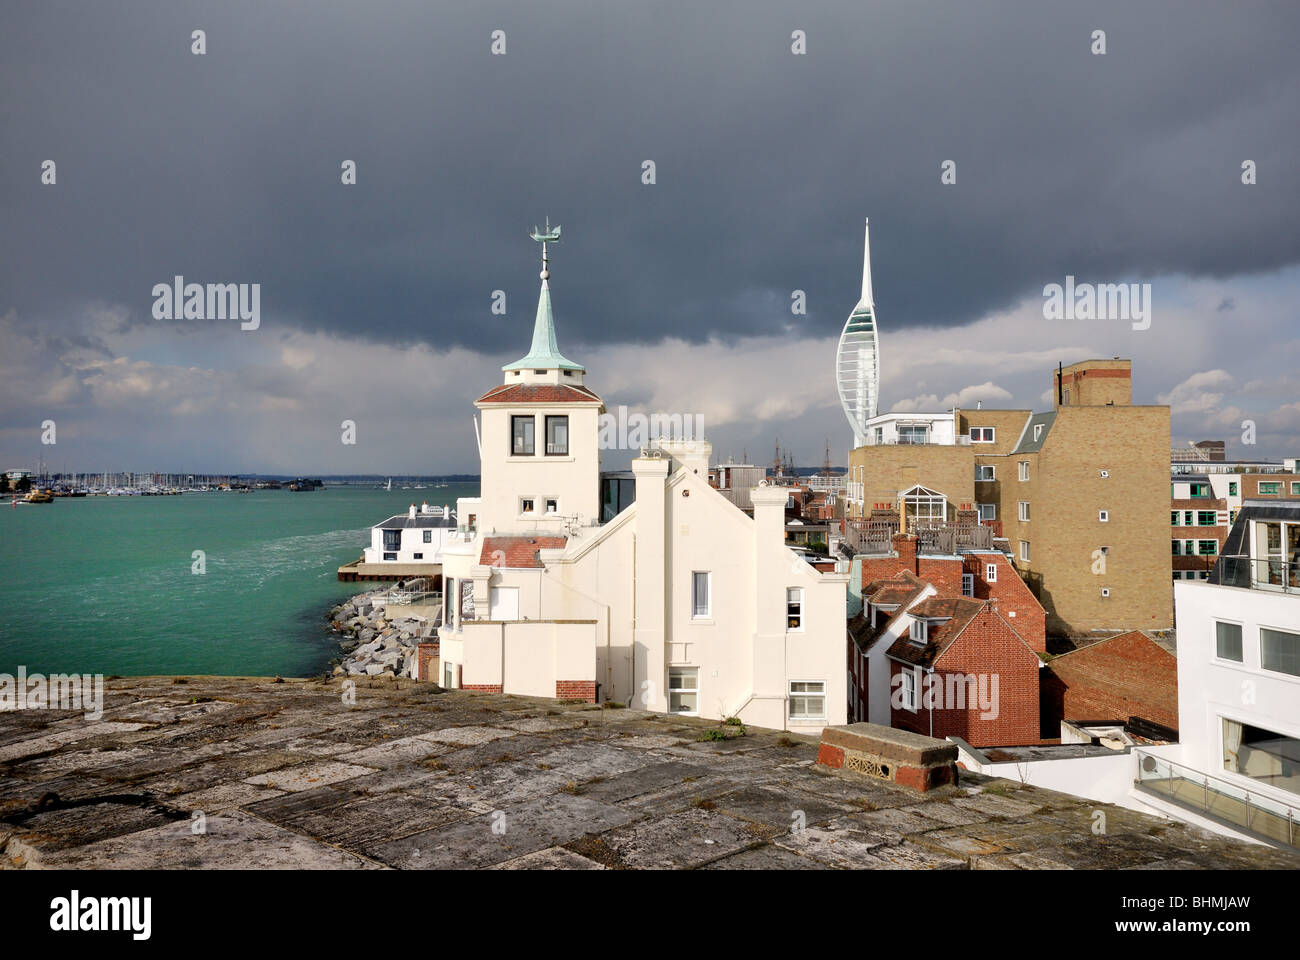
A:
x: 1236, y: 769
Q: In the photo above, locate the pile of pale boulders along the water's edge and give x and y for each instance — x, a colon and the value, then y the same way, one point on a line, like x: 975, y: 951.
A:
x: 378, y: 642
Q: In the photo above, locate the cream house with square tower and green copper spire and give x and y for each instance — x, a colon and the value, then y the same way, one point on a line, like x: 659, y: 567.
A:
x: 679, y: 603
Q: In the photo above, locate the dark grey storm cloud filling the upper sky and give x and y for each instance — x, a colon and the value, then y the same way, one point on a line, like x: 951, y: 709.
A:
x: 227, y: 167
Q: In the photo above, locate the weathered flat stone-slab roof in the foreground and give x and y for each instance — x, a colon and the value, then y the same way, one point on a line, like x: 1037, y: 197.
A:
x: 288, y: 775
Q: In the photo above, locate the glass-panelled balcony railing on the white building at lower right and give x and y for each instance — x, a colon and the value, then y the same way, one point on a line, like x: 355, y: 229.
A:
x: 1219, y: 799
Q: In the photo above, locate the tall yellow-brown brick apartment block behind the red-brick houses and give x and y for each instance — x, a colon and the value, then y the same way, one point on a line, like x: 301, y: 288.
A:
x: 1081, y: 492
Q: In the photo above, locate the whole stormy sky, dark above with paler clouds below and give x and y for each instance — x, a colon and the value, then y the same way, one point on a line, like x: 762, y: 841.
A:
x: 376, y: 297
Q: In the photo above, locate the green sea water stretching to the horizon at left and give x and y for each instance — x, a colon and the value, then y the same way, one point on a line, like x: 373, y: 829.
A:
x: 106, y: 585
